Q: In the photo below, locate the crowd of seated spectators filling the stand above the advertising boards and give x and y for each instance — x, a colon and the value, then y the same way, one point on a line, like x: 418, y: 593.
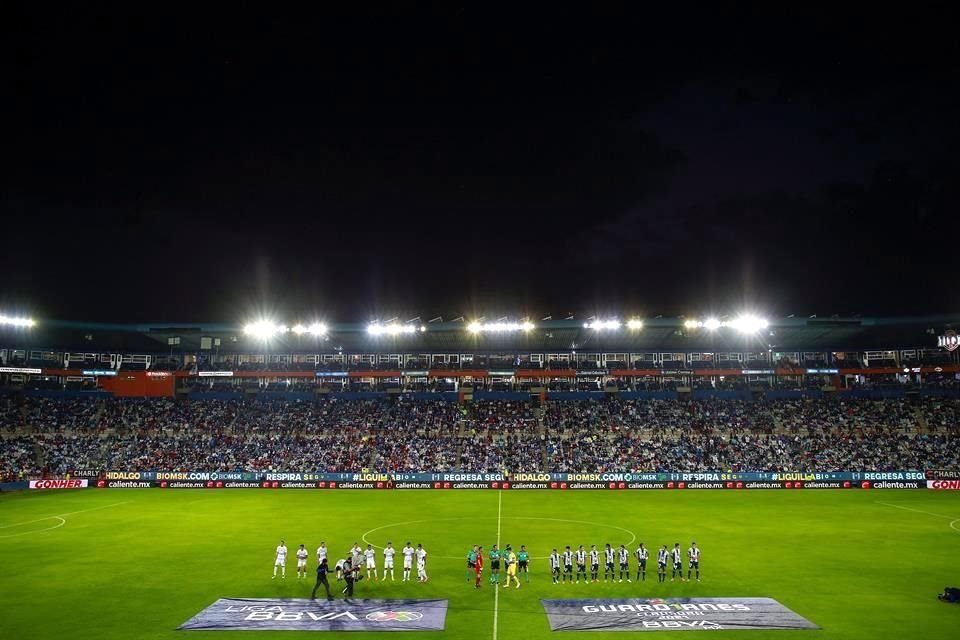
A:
x: 47, y: 436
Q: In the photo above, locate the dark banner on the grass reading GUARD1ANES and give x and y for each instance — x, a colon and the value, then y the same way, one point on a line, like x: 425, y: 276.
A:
x: 671, y: 614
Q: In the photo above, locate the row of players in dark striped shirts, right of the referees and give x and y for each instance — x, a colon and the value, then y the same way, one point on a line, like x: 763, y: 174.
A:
x: 561, y: 564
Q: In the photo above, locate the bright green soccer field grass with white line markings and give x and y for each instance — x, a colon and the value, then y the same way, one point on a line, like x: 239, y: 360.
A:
x: 115, y: 564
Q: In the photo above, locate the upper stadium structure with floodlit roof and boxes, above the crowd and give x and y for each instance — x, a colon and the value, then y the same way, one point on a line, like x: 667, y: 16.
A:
x: 557, y: 357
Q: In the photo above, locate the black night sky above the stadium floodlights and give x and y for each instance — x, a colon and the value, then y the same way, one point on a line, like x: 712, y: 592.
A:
x: 195, y: 168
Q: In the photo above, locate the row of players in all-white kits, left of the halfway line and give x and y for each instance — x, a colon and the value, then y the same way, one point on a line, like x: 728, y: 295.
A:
x: 354, y: 560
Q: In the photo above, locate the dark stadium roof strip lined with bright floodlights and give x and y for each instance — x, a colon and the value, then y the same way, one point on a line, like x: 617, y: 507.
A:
x: 549, y: 336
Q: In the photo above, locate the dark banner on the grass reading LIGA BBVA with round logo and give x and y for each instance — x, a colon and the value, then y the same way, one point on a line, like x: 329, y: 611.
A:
x: 292, y: 614
